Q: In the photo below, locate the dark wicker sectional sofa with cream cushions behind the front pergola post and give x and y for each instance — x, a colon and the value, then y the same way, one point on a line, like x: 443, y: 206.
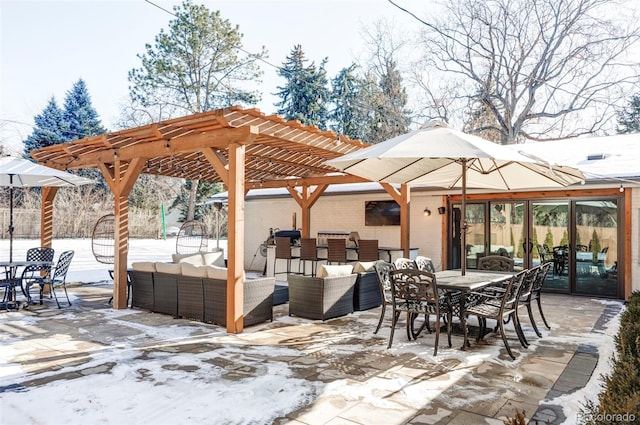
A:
x: 195, y: 287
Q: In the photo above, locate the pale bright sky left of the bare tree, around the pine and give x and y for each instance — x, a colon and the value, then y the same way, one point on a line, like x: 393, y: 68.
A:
x: 46, y: 46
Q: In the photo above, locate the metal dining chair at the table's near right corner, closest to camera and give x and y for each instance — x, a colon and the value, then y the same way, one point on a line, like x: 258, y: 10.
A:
x: 499, y: 305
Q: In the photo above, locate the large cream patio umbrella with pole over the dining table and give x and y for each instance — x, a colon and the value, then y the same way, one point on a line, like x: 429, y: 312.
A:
x: 438, y: 155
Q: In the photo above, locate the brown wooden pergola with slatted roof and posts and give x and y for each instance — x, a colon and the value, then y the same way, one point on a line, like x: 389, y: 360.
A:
x: 242, y: 148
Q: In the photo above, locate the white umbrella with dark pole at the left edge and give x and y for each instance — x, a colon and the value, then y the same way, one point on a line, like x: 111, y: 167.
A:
x: 18, y: 172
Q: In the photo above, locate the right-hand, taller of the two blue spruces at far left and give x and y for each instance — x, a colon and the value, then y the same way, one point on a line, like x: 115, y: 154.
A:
x: 80, y: 118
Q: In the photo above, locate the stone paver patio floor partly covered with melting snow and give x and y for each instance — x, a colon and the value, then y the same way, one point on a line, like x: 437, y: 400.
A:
x: 401, y: 385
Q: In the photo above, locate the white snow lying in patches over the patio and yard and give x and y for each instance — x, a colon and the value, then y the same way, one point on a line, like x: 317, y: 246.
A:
x: 114, y: 397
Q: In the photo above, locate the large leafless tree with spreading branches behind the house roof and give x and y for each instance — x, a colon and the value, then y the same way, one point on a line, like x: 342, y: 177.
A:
x: 540, y: 69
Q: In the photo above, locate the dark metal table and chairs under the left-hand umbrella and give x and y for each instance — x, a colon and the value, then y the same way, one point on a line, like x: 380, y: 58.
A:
x: 39, y: 270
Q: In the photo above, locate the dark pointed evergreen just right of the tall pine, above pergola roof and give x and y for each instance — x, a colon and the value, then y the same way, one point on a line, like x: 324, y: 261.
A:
x: 305, y: 94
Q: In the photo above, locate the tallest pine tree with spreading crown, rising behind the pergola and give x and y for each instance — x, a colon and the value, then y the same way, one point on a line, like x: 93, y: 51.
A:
x: 196, y: 66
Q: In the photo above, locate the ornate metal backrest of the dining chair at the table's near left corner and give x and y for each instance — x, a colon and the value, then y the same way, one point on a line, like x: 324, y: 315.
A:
x: 414, y: 286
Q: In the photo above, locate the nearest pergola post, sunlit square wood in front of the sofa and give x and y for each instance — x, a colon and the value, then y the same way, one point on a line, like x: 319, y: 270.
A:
x: 235, y: 248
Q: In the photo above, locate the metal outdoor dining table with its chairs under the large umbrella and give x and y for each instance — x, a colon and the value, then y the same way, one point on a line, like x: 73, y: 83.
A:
x: 493, y: 293
